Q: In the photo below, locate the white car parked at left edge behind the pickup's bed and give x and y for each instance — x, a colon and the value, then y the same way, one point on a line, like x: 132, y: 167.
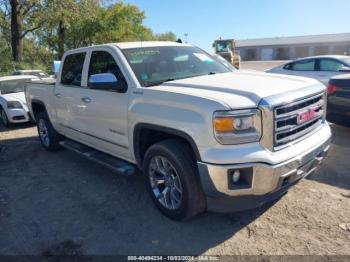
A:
x: 13, y: 106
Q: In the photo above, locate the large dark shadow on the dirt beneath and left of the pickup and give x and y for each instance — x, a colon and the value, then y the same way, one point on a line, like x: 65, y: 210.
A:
x: 64, y: 198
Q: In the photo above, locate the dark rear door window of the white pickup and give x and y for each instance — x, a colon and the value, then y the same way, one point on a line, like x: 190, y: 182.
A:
x: 72, y: 70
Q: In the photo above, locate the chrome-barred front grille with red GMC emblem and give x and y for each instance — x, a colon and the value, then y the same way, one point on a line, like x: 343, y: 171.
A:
x: 295, y: 120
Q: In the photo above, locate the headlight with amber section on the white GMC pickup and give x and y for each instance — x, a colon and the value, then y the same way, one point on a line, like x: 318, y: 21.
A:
x: 237, y: 127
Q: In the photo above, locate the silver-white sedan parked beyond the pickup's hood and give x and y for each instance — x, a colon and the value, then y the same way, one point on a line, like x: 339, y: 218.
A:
x: 321, y: 68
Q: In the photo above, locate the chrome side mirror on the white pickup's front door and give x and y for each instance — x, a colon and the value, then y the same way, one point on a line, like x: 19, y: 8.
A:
x: 106, y: 81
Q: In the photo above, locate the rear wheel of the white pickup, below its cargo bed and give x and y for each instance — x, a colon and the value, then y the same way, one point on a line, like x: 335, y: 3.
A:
x: 48, y: 136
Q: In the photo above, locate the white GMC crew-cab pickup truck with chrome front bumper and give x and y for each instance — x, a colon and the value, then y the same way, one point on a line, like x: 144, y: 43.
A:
x: 207, y: 137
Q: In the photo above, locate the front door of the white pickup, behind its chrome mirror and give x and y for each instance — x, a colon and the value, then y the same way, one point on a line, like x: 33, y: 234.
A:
x: 103, y: 120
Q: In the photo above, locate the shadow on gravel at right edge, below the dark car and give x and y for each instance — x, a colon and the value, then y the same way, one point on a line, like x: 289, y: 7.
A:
x: 335, y: 168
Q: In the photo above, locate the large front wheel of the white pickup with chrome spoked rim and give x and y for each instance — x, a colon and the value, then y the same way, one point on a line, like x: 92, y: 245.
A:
x: 176, y: 171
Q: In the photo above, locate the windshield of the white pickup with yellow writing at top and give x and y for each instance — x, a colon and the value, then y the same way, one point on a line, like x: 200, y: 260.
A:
x: 155, y: 65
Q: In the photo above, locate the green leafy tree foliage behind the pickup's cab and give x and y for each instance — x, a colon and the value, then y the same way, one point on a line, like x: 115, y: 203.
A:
x: 66, y: 24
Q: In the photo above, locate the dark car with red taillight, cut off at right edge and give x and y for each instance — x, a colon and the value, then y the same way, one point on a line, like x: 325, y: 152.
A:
x: 339, y: 96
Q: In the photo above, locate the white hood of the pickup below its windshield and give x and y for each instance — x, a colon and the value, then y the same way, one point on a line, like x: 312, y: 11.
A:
x: 239, y: 89
